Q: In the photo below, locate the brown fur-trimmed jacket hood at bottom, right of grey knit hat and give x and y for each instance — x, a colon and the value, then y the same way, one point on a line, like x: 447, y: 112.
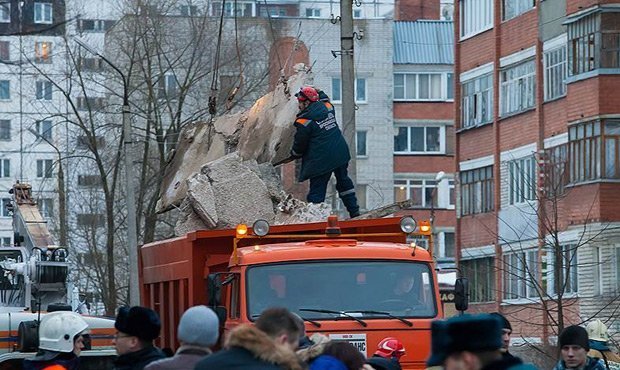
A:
x: 262, y: 347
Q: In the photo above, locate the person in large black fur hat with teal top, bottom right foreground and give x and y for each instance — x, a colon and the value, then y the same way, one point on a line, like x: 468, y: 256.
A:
x: 471, y: 342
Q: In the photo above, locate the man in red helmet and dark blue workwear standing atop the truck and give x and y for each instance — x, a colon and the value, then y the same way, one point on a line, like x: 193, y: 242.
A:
x: 322, y: 149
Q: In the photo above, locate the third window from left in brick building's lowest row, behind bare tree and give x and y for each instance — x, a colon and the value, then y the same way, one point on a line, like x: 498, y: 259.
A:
x: 568, y: 281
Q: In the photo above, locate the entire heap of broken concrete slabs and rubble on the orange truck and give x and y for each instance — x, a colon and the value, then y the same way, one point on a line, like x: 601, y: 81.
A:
x: 222, y: 174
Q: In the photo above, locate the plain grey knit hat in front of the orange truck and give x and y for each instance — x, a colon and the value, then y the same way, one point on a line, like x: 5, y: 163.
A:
x: 199, y: 326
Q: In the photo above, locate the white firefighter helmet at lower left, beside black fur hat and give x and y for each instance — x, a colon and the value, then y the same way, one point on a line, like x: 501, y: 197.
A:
x: 58, y: 329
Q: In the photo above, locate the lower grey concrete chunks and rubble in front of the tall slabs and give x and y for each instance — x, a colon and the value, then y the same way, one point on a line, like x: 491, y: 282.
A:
x: 229, y: 191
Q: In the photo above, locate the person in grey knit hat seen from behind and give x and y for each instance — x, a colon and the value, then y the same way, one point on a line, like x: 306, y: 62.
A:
x: 198, y: 330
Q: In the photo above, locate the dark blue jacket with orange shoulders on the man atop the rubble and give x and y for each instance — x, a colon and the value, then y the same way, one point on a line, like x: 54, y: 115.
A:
x: 319, y: 141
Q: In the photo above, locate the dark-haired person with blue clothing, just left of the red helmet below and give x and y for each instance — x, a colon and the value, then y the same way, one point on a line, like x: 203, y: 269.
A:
x: 339, y: 356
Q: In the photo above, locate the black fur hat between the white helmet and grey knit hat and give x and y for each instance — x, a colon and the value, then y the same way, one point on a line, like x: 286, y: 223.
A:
x: 138, y: 321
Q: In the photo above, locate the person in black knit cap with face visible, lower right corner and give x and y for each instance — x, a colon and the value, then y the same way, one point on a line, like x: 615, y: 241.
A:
x: 574, y: 346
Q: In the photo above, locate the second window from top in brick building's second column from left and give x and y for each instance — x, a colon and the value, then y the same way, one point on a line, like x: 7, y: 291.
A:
x: 518, y: 88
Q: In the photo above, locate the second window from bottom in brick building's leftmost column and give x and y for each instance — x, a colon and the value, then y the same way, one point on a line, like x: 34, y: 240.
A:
x: 477, y: 191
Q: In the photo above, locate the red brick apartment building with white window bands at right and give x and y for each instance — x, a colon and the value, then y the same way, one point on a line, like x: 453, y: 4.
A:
x: 537, y: 148
